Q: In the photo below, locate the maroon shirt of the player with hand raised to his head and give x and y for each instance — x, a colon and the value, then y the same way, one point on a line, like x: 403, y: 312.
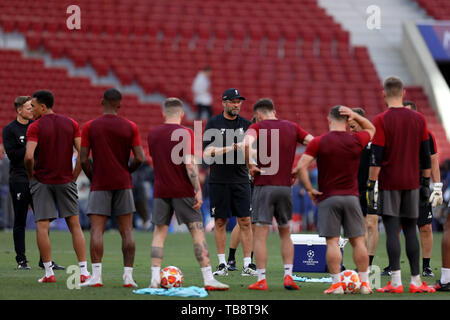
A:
x: 338, y: 154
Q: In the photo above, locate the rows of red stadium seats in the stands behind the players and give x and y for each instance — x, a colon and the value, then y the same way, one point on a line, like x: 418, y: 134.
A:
x: 289, y: 50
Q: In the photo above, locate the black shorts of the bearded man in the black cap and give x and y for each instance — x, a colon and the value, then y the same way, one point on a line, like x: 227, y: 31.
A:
x: 230, y: 198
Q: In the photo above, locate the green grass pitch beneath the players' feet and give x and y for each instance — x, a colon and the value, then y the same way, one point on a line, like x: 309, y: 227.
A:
x: 23, y: 285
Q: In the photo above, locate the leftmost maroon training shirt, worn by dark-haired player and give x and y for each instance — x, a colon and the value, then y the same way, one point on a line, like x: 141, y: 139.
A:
x: 55, y: 135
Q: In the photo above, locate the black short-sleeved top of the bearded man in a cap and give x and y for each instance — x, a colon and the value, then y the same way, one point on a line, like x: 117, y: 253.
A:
x: 224, y: 171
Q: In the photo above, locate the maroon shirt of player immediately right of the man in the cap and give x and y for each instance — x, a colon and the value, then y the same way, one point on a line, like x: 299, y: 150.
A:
x: 289, y: 134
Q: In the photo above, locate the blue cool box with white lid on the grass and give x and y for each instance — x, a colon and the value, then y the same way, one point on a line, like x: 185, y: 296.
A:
x: 310, y: 251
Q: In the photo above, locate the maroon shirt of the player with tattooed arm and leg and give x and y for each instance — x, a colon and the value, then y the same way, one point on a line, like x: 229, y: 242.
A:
x: 171, y: 180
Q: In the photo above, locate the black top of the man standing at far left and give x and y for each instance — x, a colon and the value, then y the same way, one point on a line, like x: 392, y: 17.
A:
x: 14, y: 141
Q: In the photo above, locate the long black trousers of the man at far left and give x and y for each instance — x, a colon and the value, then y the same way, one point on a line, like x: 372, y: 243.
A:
x: 21, y: 199
